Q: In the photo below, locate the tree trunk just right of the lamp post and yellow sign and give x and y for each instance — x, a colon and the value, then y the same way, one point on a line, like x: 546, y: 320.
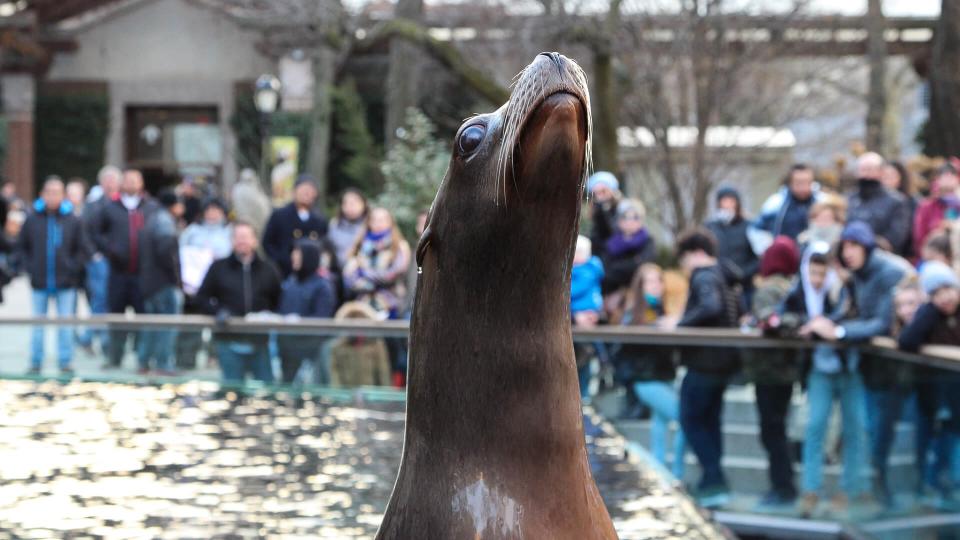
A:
x: 318, y: 156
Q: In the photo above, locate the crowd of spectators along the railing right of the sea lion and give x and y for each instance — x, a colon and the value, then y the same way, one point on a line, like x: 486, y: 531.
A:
x: 840, y: 269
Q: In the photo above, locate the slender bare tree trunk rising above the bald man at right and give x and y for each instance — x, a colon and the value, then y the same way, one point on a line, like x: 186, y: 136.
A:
x: 877, y: 93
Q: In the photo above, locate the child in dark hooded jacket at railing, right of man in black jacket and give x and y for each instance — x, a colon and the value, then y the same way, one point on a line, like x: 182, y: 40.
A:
x: 305, y: 293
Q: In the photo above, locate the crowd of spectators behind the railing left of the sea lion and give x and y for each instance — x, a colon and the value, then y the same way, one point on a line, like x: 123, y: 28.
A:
x: 186, y: 251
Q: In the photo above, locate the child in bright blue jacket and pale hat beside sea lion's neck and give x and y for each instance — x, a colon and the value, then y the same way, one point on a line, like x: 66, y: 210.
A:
x: 585, y: 304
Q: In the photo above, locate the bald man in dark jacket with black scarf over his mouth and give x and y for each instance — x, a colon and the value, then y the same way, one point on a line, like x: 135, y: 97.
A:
x: 886, y: 211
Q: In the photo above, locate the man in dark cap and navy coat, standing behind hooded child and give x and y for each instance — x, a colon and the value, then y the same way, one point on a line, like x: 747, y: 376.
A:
x: 295, y: 221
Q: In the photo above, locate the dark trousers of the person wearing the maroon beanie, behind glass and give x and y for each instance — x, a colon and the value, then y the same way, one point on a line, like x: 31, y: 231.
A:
x: 773, y: 406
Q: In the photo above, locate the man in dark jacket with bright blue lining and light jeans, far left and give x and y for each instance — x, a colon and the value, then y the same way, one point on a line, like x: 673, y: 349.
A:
x: 51, y: 247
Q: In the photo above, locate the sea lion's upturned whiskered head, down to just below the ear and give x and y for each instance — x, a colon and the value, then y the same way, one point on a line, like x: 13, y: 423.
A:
x: 516, y: 176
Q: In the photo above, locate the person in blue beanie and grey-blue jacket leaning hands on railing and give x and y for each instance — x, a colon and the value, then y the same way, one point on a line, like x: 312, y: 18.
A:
x: 875, y: 275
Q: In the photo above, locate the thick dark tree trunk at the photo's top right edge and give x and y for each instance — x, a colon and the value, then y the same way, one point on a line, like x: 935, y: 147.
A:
x: 944, y: 128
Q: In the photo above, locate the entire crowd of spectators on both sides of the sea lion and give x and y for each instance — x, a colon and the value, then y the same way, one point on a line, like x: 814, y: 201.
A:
x: 841, y: 269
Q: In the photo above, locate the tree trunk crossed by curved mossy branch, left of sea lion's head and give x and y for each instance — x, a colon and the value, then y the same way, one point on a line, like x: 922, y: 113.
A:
x: 404, y: 74
